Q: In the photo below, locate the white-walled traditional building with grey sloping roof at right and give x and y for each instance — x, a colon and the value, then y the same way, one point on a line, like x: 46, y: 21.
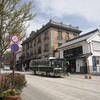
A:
x: 83, y: 53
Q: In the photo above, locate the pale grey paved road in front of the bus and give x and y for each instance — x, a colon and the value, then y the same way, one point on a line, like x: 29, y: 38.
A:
x: 74, y: 87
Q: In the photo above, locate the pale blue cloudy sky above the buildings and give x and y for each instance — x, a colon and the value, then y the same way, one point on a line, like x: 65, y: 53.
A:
x: 82, y: 13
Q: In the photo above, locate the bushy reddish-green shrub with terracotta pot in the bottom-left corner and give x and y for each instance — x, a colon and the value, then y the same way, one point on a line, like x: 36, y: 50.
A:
x: 12, y: 85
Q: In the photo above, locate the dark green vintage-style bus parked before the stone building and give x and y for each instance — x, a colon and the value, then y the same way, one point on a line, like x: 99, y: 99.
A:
x: 49, y: 67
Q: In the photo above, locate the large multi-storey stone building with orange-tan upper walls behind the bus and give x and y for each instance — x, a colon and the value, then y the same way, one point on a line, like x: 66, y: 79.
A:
x: 44, y: 42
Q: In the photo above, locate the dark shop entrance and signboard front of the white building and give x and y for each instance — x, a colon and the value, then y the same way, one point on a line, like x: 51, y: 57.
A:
x: 76, y: 59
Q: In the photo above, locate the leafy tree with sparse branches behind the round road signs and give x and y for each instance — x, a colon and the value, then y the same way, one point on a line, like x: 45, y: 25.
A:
x: 13, y: 17
